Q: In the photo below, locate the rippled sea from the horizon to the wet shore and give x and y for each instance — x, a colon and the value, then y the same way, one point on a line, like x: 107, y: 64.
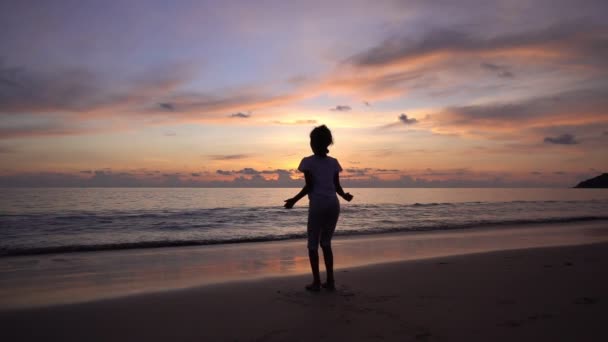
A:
x: 57, y: 220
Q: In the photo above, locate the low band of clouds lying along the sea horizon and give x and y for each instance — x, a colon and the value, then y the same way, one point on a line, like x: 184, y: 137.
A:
x: 276, y: 178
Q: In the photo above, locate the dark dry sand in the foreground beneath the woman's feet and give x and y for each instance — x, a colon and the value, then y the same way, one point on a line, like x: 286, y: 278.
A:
x: 530, y: 294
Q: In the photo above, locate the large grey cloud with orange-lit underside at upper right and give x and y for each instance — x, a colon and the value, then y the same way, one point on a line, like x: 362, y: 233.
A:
x: 436, y: 60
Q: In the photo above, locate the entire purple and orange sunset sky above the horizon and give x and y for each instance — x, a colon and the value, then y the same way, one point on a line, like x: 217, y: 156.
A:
x: 441, y: 93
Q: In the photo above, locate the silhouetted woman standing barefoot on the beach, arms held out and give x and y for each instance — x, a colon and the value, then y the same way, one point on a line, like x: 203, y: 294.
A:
x: 321, y: 173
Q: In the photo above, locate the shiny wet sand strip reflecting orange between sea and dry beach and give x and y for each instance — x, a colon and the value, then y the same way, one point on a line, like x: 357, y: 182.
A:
x: 35, y: 281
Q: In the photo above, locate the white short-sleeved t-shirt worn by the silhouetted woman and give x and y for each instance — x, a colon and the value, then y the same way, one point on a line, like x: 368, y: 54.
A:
x: 322, y: 170
